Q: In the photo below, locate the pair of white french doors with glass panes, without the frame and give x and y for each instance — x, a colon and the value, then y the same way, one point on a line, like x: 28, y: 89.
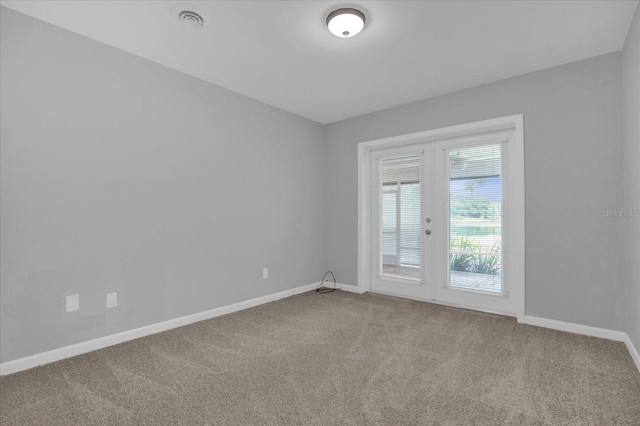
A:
x: 441, y: 220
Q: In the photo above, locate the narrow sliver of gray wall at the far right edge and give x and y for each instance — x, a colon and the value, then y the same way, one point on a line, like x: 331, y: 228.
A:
x: 631, y: 149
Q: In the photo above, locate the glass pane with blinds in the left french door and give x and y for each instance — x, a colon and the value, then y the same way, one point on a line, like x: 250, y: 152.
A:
x: 400, y: 217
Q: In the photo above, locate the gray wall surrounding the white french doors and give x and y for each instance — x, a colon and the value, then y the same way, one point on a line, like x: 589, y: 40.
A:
x: 573, y: 163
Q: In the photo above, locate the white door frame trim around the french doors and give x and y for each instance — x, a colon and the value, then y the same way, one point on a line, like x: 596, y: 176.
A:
x: 516, y: 255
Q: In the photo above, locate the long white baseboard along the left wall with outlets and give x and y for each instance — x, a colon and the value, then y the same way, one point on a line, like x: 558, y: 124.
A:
x: 91, y: 345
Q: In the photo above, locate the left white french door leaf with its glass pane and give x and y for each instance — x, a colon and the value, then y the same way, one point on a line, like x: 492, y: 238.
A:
x: 401, y: 200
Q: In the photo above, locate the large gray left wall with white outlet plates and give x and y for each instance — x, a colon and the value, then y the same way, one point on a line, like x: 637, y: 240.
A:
x: 120, y: 175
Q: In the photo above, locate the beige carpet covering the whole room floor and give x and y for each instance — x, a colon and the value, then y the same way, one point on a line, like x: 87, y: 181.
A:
x: 337, y: 358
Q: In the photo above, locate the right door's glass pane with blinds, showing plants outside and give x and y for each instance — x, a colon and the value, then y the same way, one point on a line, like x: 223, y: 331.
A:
x: 475, y: 218
